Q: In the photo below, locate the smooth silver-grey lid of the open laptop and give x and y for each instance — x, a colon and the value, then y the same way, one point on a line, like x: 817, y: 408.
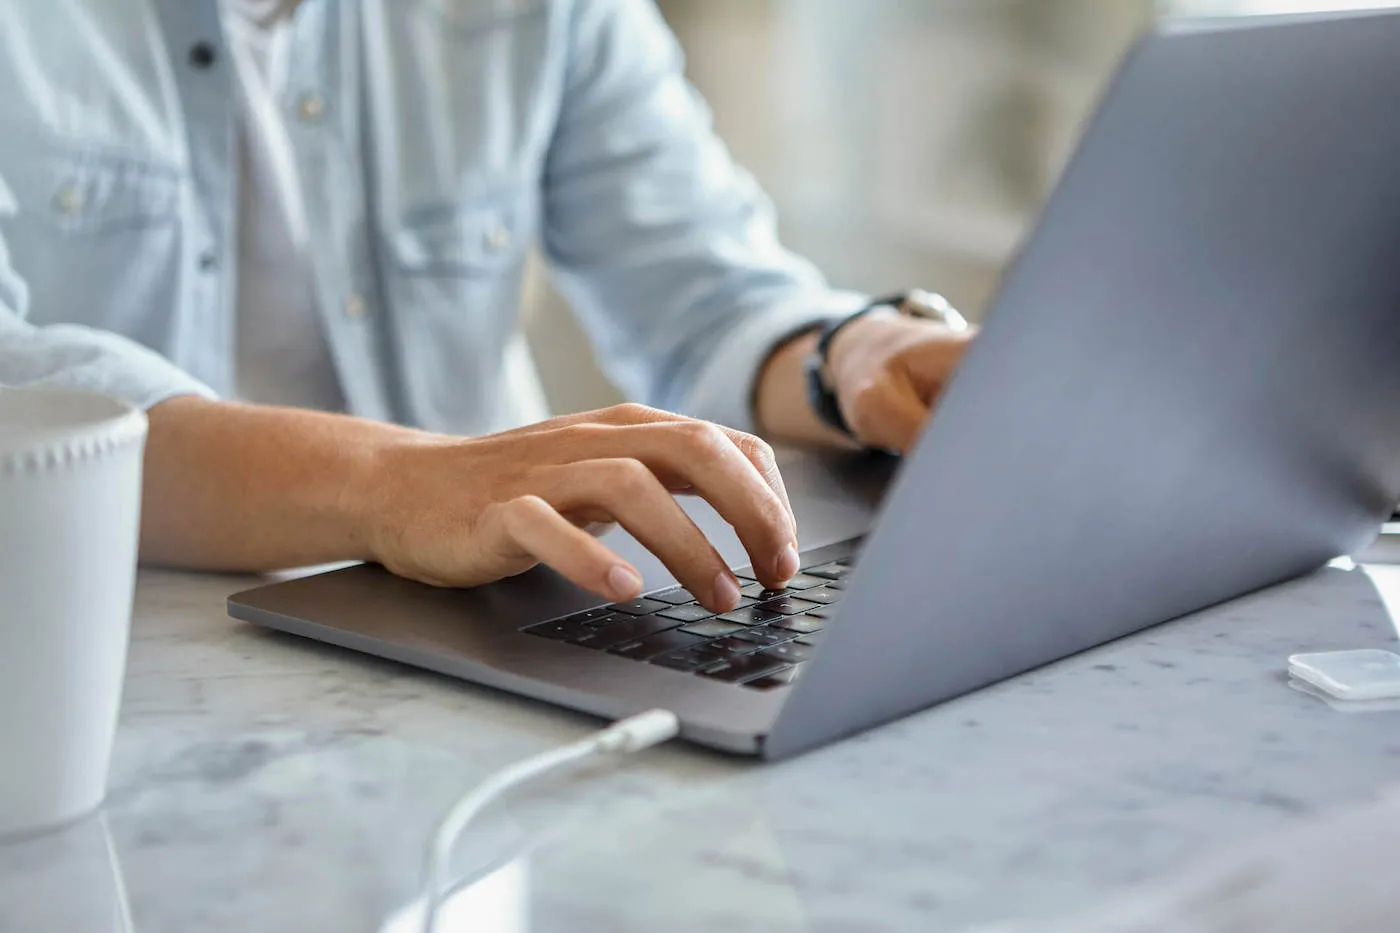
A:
x: 1189, y: 387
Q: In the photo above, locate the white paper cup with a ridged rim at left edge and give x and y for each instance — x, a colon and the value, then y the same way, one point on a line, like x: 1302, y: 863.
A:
x: 71, y: 501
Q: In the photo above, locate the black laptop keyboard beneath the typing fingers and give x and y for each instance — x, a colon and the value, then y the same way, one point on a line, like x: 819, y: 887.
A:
x: 761, y: 645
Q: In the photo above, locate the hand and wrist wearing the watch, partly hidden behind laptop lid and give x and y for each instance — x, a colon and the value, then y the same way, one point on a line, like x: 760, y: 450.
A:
x: 888, y: 372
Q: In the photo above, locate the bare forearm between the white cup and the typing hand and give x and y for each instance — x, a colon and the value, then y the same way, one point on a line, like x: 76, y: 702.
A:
x: 255, y: 488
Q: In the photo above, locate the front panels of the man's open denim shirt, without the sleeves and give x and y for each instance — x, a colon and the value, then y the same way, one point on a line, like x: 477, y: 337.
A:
x: 421, y: 132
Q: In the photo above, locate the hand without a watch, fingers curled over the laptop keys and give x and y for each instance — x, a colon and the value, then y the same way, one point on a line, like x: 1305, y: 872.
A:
x: 461, y: 512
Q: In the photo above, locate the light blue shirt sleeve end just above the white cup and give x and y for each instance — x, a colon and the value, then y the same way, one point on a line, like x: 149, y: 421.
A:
x: 73, y: 357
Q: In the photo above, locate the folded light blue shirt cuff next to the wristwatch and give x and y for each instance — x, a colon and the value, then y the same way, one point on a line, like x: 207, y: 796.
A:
x: 723, y: 390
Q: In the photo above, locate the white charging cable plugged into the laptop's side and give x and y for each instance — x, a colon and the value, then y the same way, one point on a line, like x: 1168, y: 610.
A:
x: 624, y: 738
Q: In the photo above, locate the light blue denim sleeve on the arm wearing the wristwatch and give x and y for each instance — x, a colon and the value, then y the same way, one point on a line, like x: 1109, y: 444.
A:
x: 663, y: 244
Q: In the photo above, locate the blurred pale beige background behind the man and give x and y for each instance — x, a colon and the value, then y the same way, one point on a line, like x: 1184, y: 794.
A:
x: 905, y: 142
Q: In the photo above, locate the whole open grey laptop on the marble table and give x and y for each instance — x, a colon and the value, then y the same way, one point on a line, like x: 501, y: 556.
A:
x: 1186, y: 390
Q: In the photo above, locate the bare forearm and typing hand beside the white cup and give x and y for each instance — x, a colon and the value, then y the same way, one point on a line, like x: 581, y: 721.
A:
x: 257, y: 488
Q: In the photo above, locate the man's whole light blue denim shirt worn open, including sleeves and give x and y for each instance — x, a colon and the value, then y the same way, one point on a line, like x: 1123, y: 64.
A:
x: 436, y: 142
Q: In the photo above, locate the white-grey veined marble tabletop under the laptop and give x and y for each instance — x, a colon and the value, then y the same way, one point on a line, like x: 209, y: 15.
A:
x: 268, y: 784
